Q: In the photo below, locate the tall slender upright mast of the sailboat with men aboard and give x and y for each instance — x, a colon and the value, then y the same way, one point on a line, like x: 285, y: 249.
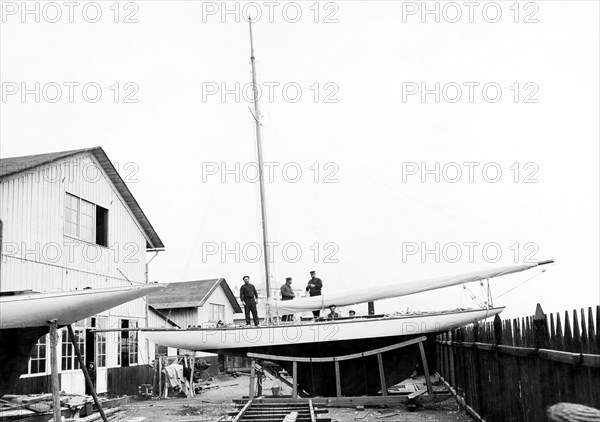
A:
x: 261, y: 179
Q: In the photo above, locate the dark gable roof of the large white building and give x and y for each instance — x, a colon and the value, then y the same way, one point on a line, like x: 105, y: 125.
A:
x: 14, y: 165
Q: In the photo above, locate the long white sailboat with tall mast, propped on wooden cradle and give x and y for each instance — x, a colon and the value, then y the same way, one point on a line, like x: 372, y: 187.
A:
x: 325, y: 338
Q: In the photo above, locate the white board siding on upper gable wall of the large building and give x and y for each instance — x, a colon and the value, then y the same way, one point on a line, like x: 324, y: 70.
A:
x: 36, y: 248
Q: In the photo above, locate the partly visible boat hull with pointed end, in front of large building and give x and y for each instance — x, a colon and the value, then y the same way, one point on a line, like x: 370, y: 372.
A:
x: 25, y: 317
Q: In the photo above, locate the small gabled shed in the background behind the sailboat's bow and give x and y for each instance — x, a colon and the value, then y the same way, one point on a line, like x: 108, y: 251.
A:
x: 201, y: 303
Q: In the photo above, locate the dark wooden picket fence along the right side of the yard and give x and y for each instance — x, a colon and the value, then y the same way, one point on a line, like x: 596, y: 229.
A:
x: 513, y: 370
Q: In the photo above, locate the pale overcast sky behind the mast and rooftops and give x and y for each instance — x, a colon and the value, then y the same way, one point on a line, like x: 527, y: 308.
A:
x: 405, y: 143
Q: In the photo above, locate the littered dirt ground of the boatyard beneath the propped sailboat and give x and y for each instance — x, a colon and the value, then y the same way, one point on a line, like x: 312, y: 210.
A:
x: 212, y: 405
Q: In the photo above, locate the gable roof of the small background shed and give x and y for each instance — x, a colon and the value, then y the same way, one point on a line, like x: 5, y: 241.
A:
x: 191, y: 294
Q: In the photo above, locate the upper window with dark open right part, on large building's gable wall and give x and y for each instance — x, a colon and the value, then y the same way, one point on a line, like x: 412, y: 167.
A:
x: 85, y: 220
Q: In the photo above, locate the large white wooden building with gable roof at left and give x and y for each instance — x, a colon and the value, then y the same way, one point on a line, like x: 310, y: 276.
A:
x: 70, y: 222
